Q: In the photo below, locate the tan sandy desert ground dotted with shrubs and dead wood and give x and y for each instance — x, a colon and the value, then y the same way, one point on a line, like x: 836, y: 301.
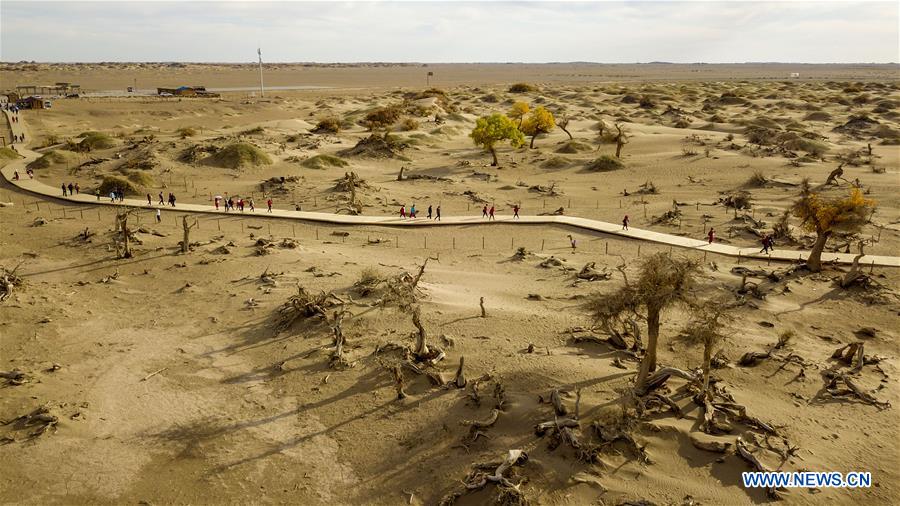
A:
x: 237, y: 413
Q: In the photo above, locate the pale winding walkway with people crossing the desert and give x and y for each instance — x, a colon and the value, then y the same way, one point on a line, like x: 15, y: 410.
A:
x: 38, y: 188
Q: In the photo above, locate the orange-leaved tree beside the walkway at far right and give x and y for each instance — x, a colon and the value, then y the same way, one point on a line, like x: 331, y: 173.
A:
x: 825, y: 216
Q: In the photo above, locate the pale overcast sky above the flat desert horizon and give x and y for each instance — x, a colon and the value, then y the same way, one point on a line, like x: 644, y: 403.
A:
x: 450, y: 31
